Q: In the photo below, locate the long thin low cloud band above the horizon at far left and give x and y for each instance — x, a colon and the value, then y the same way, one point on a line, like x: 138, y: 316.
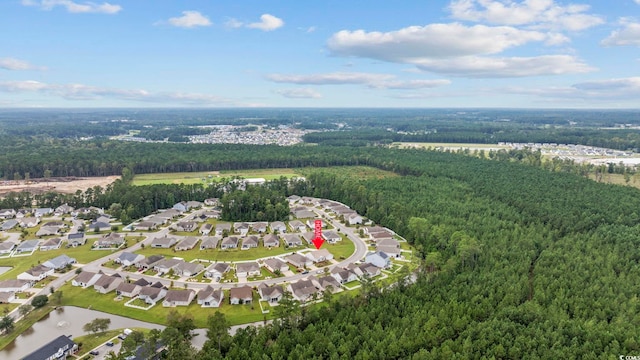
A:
x: 87, y: 92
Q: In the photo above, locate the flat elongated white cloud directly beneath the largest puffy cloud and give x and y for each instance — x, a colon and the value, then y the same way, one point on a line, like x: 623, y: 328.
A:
x: 492, y: 67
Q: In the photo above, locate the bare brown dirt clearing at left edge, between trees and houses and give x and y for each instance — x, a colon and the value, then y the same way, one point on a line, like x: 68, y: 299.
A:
x: 67, y: 185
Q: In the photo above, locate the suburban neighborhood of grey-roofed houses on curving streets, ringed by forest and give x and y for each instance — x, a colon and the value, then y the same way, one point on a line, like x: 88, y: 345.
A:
x: 186, y: 256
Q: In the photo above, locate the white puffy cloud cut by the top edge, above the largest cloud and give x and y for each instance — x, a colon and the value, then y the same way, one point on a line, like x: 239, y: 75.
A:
x: 538, y: 13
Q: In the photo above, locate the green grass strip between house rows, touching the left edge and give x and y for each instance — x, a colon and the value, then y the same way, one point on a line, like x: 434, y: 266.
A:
x: 22, y: 263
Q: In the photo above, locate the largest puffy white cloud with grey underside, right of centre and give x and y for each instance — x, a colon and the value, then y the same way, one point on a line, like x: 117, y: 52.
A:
x: 430, y: 41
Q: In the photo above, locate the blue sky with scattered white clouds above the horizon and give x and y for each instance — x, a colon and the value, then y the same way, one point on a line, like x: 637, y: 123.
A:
x: 320, y: 53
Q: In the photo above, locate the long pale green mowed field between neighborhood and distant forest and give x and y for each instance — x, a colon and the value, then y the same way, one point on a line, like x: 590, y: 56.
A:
x: 210, y: 176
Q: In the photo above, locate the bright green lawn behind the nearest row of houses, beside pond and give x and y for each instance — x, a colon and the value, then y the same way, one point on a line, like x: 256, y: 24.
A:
x: 236, y: 314
